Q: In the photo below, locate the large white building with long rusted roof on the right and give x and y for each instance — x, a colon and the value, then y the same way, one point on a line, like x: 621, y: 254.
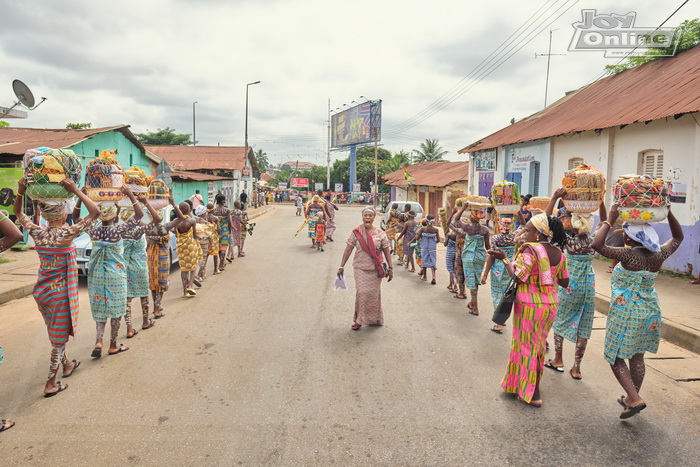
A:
x: 644, y: 120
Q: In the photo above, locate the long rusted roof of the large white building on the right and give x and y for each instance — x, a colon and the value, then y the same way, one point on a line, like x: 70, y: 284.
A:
x: 661, y: 88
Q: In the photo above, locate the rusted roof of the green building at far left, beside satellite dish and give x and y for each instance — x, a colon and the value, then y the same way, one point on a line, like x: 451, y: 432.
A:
x: 15, y: 141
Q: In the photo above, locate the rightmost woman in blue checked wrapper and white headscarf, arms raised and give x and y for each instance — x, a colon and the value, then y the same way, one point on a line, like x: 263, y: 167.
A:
x: 634, y: 322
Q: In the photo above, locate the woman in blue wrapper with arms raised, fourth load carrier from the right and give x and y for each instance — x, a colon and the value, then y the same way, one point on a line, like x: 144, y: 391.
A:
x: 476, y: 242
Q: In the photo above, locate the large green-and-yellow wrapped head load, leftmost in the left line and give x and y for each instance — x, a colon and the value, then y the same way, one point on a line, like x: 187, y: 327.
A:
x: 45, y: 169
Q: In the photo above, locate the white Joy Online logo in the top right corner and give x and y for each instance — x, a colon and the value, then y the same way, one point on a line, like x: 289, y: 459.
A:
x: 616, y: 34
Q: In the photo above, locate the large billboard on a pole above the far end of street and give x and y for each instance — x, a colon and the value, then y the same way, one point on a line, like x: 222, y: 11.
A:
x: 357, y: 125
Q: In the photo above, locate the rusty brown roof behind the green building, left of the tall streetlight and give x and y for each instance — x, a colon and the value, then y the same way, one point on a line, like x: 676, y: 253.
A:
x: 202, y: 157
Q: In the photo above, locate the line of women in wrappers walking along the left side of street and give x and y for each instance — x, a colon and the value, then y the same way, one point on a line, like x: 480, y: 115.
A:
x: 130, y: 258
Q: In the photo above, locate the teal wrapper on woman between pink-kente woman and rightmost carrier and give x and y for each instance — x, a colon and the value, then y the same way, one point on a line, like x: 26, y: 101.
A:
x: 577, y: 301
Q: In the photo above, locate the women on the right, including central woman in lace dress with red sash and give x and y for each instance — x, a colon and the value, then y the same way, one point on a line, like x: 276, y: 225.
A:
x: 549, y: 257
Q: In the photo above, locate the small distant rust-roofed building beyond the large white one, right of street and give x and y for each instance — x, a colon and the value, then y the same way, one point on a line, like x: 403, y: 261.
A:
x: 432, y: 184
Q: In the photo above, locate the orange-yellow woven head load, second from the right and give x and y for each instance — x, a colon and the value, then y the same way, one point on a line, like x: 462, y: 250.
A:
x: 585, y: 187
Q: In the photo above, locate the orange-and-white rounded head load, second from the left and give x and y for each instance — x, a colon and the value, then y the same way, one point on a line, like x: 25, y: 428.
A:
x: 104, y: 178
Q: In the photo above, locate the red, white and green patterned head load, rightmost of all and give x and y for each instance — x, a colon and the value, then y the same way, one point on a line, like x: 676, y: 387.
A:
x: 641, y: 199
